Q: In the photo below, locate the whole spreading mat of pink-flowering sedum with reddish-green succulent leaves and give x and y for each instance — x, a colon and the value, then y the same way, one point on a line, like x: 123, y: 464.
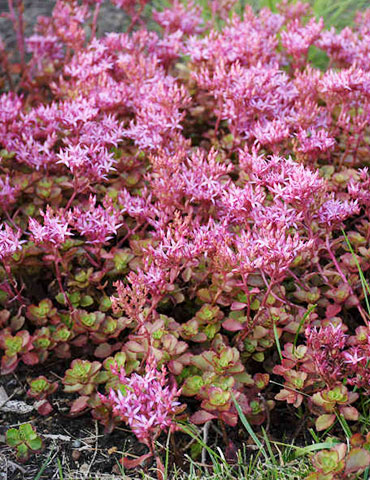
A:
x: 185, y: 218
